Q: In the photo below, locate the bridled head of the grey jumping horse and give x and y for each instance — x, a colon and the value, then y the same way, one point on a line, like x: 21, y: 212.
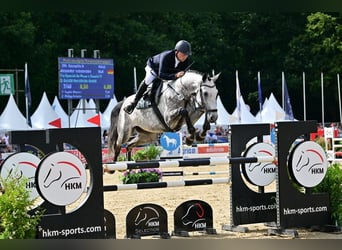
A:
x: 206, y: 97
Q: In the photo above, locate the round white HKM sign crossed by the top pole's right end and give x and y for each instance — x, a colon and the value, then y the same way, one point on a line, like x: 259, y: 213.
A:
x: 260, y: 173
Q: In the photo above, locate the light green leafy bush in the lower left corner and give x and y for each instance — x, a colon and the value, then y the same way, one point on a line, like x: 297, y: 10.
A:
x: 15, y: 203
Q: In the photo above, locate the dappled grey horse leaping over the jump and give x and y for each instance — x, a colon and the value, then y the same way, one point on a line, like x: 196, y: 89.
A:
x: 182, y: 101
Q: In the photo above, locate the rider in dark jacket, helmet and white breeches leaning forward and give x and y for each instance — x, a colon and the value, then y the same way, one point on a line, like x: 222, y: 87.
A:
x: 168, y: 65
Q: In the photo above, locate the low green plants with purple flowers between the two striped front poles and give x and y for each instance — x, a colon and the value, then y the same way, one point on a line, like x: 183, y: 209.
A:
x: 141, y: 175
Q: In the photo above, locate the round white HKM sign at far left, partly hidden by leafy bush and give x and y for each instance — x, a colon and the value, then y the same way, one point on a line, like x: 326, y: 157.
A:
x: 20, y: 165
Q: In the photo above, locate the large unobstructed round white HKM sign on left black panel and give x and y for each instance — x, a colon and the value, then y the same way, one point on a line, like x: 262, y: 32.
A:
x: 61, y: 178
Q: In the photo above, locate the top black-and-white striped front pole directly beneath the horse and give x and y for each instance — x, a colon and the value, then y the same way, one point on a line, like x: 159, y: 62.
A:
x: 186, y: 163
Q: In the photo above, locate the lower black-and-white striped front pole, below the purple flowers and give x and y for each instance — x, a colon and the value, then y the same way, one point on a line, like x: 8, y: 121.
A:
x: 180, y: 183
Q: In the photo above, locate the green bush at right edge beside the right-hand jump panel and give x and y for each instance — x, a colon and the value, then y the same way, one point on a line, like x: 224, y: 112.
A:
x: 332, y: 184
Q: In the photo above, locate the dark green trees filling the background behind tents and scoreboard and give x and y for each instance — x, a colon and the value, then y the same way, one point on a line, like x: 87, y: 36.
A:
x: 221, y: 41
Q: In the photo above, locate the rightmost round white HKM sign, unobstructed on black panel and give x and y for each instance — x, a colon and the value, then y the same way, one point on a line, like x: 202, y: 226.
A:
x: 308, y: 163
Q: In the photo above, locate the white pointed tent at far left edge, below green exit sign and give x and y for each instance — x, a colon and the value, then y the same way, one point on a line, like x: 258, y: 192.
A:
x: 11, y: 117
